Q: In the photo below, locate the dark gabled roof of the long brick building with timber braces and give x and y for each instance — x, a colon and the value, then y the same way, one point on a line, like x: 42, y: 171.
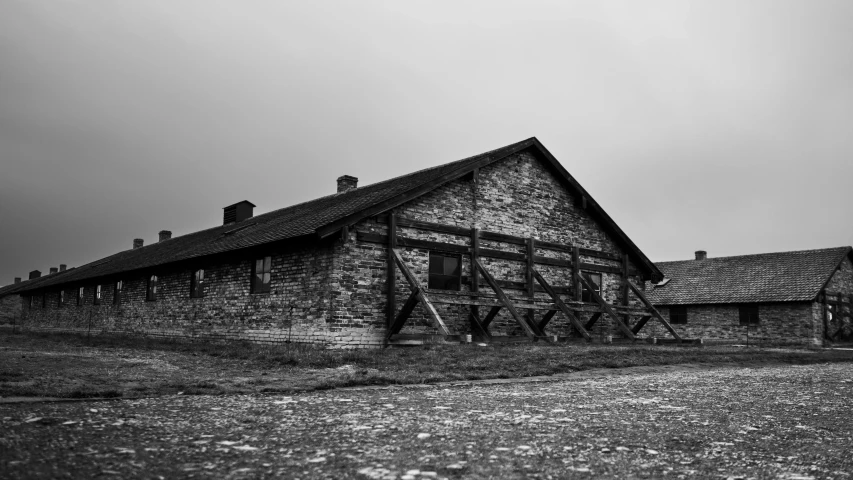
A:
x: 325, y: 216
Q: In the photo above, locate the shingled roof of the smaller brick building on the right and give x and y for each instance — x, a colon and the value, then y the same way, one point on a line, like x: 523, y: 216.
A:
x: 766, y: 277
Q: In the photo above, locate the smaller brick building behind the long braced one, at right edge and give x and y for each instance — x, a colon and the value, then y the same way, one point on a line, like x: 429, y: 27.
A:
x: 793, y: 298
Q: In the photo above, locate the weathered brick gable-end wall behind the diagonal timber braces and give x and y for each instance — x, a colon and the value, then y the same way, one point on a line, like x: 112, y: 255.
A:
x: 516, y: 196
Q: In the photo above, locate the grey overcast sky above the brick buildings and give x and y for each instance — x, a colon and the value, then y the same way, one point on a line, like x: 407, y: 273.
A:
x: 717, y: 125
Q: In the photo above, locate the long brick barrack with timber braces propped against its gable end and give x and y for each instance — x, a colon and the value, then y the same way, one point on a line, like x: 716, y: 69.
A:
x: 499, y: 246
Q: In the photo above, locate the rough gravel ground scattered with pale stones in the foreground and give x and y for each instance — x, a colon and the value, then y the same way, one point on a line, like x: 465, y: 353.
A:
x: 773, y: 422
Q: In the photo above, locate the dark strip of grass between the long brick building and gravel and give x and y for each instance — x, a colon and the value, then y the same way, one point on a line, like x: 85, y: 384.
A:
x: 131, y: 366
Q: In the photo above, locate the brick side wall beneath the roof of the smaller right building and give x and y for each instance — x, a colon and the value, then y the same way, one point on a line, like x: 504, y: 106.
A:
x: 779, y: 324
